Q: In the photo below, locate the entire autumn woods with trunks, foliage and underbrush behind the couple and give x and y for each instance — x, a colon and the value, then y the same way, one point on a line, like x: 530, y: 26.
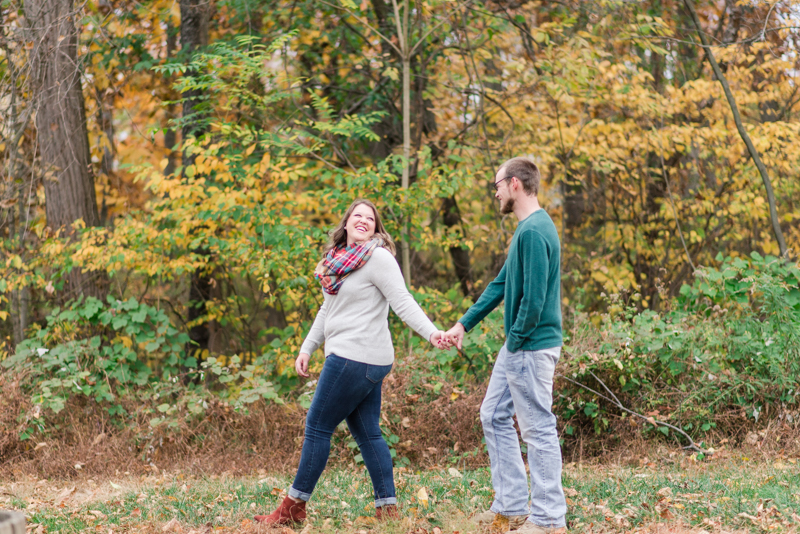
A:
x: 170, y: 171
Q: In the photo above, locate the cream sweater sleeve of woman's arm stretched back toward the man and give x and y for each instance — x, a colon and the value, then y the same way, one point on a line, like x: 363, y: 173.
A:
x: 389, y: 281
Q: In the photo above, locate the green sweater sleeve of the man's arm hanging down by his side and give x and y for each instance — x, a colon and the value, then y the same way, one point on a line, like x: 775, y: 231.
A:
x: 533, y: 256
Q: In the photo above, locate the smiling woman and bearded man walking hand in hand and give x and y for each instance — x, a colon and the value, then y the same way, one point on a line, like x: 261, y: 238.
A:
x: 360, y: 279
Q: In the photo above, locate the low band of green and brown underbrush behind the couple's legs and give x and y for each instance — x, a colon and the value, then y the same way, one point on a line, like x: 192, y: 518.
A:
x: 109, y: 385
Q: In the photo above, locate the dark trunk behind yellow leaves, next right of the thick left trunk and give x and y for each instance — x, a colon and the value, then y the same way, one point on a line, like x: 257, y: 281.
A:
x: 194, y: 35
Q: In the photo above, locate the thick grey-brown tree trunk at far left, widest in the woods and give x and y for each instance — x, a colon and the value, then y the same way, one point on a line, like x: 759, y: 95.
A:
x: 61, y: 129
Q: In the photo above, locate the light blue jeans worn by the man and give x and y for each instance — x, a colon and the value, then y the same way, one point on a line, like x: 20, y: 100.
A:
x: 522, y: 383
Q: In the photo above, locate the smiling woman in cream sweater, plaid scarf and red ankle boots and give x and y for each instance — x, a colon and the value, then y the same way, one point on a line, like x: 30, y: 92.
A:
x: 360, y: 279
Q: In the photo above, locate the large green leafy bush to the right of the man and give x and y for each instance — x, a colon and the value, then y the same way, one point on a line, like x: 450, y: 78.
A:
x: 730, y: 343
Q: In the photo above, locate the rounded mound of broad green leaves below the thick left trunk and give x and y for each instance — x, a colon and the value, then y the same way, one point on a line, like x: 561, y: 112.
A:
x: 96, y: 350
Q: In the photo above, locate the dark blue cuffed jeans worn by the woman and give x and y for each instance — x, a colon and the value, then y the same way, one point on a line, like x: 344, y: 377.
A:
x: 350, y: 391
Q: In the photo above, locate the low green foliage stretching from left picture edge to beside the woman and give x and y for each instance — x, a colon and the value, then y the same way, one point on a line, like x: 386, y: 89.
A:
x: 120, y: 353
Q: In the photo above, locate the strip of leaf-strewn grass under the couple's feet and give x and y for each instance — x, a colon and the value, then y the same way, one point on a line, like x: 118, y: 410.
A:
x: 731, y: 495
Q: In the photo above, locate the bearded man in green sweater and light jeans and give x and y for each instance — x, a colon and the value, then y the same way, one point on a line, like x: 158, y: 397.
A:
x: 522, y: 378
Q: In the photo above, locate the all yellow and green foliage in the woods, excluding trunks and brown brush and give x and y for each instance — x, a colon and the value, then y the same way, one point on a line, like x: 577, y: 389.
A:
x: 305, y: 117
